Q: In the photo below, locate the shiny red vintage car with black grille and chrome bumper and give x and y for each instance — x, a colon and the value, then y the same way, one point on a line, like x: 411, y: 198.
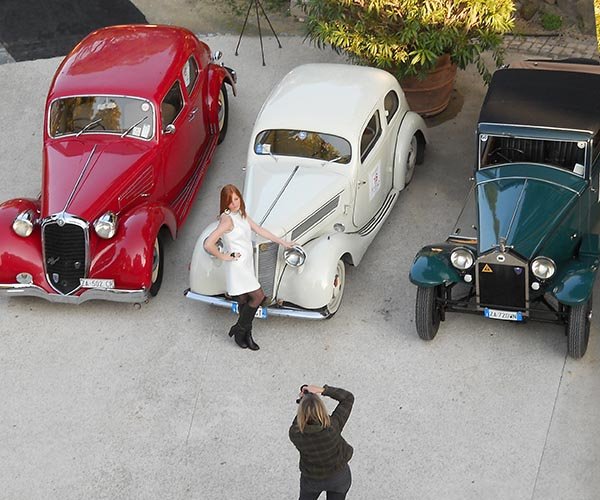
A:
x: 133, y: 116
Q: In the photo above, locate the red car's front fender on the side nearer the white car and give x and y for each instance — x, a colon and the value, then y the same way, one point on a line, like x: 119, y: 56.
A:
x: 127, y: 257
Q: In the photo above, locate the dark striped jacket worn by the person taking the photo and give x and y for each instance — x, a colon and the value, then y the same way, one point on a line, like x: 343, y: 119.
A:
x: 323, y: 451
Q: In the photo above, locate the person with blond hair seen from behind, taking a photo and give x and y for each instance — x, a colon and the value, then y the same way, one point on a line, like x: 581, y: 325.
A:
x: 324, y: 454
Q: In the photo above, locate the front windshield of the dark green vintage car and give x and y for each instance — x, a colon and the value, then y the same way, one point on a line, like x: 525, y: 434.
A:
x: 566, y: 155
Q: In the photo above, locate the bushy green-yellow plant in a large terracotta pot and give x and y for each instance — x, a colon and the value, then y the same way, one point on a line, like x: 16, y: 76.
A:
x: 422, y: 43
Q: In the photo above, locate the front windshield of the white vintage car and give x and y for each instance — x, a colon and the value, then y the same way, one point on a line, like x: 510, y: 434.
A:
x: 303, y: 143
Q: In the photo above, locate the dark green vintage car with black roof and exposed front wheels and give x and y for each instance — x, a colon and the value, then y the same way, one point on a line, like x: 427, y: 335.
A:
x: 526, y: 245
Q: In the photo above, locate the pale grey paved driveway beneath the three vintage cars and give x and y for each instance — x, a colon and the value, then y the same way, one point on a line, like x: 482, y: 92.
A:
x: 113, y: 401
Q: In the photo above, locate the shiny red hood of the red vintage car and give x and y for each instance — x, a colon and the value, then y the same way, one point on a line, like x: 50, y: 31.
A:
x: 106, y: 168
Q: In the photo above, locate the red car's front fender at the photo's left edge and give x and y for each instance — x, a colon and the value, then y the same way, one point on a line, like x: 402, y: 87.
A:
x: 19, y: 254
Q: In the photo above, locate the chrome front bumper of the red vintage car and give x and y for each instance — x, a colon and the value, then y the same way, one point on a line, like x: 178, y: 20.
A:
x: 114, y: 295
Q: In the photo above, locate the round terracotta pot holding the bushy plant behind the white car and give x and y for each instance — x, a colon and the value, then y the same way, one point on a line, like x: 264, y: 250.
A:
x: 431, y: 95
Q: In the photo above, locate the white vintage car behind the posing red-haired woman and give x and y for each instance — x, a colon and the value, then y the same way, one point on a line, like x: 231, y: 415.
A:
x: 332, y: 147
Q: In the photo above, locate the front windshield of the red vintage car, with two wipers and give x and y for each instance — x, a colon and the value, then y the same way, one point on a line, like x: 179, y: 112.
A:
x: 102, y: 114
